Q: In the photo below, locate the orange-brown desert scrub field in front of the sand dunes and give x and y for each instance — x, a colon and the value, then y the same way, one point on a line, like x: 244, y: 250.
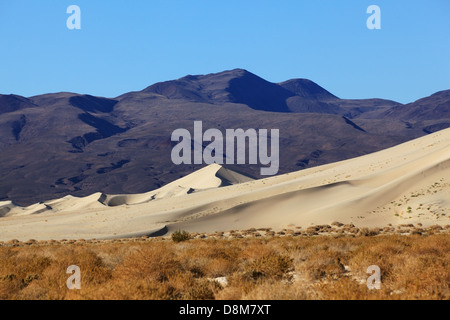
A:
x: 319, y: 267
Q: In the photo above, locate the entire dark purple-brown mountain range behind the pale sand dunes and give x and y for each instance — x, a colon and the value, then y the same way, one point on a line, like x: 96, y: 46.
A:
x: 60, y: 144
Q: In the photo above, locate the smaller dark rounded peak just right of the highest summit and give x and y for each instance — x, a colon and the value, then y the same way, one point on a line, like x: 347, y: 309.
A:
x: 307, y: 89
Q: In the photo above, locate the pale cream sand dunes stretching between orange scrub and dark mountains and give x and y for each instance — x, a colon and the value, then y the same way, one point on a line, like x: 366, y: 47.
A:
x: 408, y: 183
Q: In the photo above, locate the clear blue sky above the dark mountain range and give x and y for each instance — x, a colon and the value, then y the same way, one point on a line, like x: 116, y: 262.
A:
x: 127, y: 45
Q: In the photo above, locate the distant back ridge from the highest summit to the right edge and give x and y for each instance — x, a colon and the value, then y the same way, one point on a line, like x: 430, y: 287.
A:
x: 296, y: 95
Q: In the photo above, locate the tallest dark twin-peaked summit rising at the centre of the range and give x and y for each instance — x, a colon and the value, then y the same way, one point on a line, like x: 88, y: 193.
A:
x: 241, y: 86
